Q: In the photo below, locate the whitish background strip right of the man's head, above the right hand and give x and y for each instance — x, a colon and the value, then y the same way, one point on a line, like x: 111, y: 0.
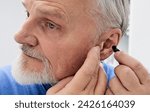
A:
x: 139, y: 41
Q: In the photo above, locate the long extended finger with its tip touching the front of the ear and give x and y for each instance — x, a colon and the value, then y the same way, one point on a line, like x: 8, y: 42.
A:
x: 86, y: 72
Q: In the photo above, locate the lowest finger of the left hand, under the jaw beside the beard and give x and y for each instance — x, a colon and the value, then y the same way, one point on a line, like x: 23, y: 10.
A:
x: 60, y: 85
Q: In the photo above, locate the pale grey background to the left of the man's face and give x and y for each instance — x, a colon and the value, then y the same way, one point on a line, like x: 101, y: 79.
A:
x: 12, y: 15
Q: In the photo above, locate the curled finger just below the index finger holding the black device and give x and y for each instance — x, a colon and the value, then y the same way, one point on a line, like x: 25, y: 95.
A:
x: 127, y: 77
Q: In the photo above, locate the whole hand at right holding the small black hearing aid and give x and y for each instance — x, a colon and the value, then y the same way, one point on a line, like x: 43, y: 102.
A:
x: 132, y: 78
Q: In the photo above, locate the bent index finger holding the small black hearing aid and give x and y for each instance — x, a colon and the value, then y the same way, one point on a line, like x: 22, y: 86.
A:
x: 135, y: 65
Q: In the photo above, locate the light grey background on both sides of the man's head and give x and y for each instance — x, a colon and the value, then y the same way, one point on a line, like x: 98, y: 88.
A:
x: 12, y: 15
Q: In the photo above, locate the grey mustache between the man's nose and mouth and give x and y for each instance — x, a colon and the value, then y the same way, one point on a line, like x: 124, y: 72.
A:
x: 32, y: 52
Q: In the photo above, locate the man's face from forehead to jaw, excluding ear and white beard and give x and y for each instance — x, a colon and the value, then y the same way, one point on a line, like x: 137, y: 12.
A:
x: 61, y: 31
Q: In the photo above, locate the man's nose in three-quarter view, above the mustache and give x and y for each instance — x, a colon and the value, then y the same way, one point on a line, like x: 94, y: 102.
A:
x: 26, y: 35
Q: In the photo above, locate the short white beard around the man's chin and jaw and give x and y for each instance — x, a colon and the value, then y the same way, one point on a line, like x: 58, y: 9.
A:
x: 32, y: 77
